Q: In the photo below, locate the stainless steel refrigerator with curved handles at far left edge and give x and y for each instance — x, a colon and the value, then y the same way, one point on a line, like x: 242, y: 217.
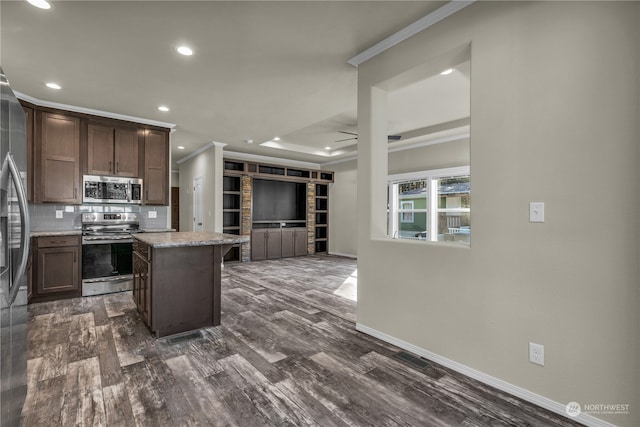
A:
x: 14, y: 252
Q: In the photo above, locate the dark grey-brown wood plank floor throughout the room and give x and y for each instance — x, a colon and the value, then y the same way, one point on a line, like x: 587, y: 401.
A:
x: 286, y: 353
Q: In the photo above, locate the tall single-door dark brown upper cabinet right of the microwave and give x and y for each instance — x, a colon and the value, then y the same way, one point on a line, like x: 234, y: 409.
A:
x: 156, y: 157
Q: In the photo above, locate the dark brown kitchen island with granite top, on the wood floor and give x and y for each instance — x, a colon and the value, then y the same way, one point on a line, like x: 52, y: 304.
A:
x: 176, y: 279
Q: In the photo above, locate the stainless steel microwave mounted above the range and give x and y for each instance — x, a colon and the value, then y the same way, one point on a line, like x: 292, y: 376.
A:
x: 111, y: 189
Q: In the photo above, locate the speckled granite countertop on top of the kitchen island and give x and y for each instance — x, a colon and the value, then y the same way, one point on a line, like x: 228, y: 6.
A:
x: 188, y: 238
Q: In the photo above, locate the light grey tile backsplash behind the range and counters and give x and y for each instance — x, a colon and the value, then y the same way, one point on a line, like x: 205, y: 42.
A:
x: 44, y: 216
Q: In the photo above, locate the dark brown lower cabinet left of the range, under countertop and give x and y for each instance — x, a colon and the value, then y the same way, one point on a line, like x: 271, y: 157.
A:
x: 55, y: 268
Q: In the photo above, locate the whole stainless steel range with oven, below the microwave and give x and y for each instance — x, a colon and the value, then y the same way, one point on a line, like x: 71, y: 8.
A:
x: 107, y: 252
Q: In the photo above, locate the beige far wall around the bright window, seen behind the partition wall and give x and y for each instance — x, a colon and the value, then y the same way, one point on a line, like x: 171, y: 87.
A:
x: 343, y: 217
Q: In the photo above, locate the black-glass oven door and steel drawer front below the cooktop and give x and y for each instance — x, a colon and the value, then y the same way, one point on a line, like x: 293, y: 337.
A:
x: 107, y: 266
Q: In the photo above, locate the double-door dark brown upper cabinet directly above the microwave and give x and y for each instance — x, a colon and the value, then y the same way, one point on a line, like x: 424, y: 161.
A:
x: 112, y: 151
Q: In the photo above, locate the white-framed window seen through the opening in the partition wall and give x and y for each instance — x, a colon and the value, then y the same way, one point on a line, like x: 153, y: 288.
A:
x: 431, y: 205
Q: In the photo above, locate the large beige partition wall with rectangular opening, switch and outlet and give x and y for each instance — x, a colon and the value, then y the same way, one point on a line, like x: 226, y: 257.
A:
x: 554, y: 118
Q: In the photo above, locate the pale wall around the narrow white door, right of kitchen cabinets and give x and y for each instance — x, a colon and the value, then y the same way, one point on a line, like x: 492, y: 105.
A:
x: 209, y: 166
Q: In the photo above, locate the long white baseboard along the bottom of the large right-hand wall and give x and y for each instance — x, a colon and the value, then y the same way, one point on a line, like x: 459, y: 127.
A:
x: 527, y: 395
